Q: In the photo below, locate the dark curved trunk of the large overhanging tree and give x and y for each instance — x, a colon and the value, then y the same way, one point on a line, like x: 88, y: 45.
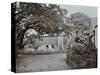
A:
x: 19, y: 39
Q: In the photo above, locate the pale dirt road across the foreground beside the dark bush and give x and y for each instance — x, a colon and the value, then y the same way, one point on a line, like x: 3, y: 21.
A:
x: 49, y: 62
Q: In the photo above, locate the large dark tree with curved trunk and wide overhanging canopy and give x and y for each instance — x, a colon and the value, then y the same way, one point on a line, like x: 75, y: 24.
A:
x: 44, y: 18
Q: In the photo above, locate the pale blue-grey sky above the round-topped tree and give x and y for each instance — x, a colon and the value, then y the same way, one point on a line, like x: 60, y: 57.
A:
x: 90, y: 11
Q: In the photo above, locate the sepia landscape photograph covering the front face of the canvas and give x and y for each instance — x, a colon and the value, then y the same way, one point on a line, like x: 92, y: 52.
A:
x: 52, y: 37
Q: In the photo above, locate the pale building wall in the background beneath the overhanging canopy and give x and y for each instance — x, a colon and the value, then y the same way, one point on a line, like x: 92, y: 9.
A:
x: 57, y: 42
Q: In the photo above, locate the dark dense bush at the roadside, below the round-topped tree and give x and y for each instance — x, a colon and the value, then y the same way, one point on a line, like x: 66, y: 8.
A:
x: 81, y: 57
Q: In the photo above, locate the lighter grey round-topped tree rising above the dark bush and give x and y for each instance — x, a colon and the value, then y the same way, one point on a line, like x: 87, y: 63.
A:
x: 81, y: 25
